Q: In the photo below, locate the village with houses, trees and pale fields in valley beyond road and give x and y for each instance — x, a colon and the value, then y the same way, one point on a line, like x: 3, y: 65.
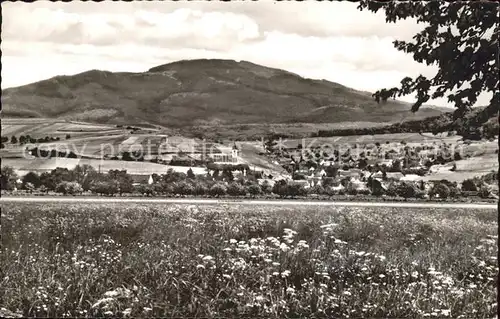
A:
x: 185, y: 167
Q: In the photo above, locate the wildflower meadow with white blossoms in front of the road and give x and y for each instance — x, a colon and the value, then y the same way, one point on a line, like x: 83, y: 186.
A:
x: 150, y: 260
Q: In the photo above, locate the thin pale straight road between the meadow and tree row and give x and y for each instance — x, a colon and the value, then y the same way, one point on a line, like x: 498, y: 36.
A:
x: 244, y: 202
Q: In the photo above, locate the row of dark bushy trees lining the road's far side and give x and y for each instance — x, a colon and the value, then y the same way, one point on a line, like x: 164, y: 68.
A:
x: 115, y: 182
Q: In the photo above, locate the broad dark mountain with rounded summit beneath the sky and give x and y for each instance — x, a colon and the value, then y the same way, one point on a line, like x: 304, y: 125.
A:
x: 200, y: 92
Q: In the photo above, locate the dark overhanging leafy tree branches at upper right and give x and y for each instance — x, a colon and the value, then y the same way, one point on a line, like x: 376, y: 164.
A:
x: 461, y: 38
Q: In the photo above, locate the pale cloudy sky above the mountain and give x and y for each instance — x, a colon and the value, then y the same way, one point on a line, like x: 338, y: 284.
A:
x: 319, y: 40
